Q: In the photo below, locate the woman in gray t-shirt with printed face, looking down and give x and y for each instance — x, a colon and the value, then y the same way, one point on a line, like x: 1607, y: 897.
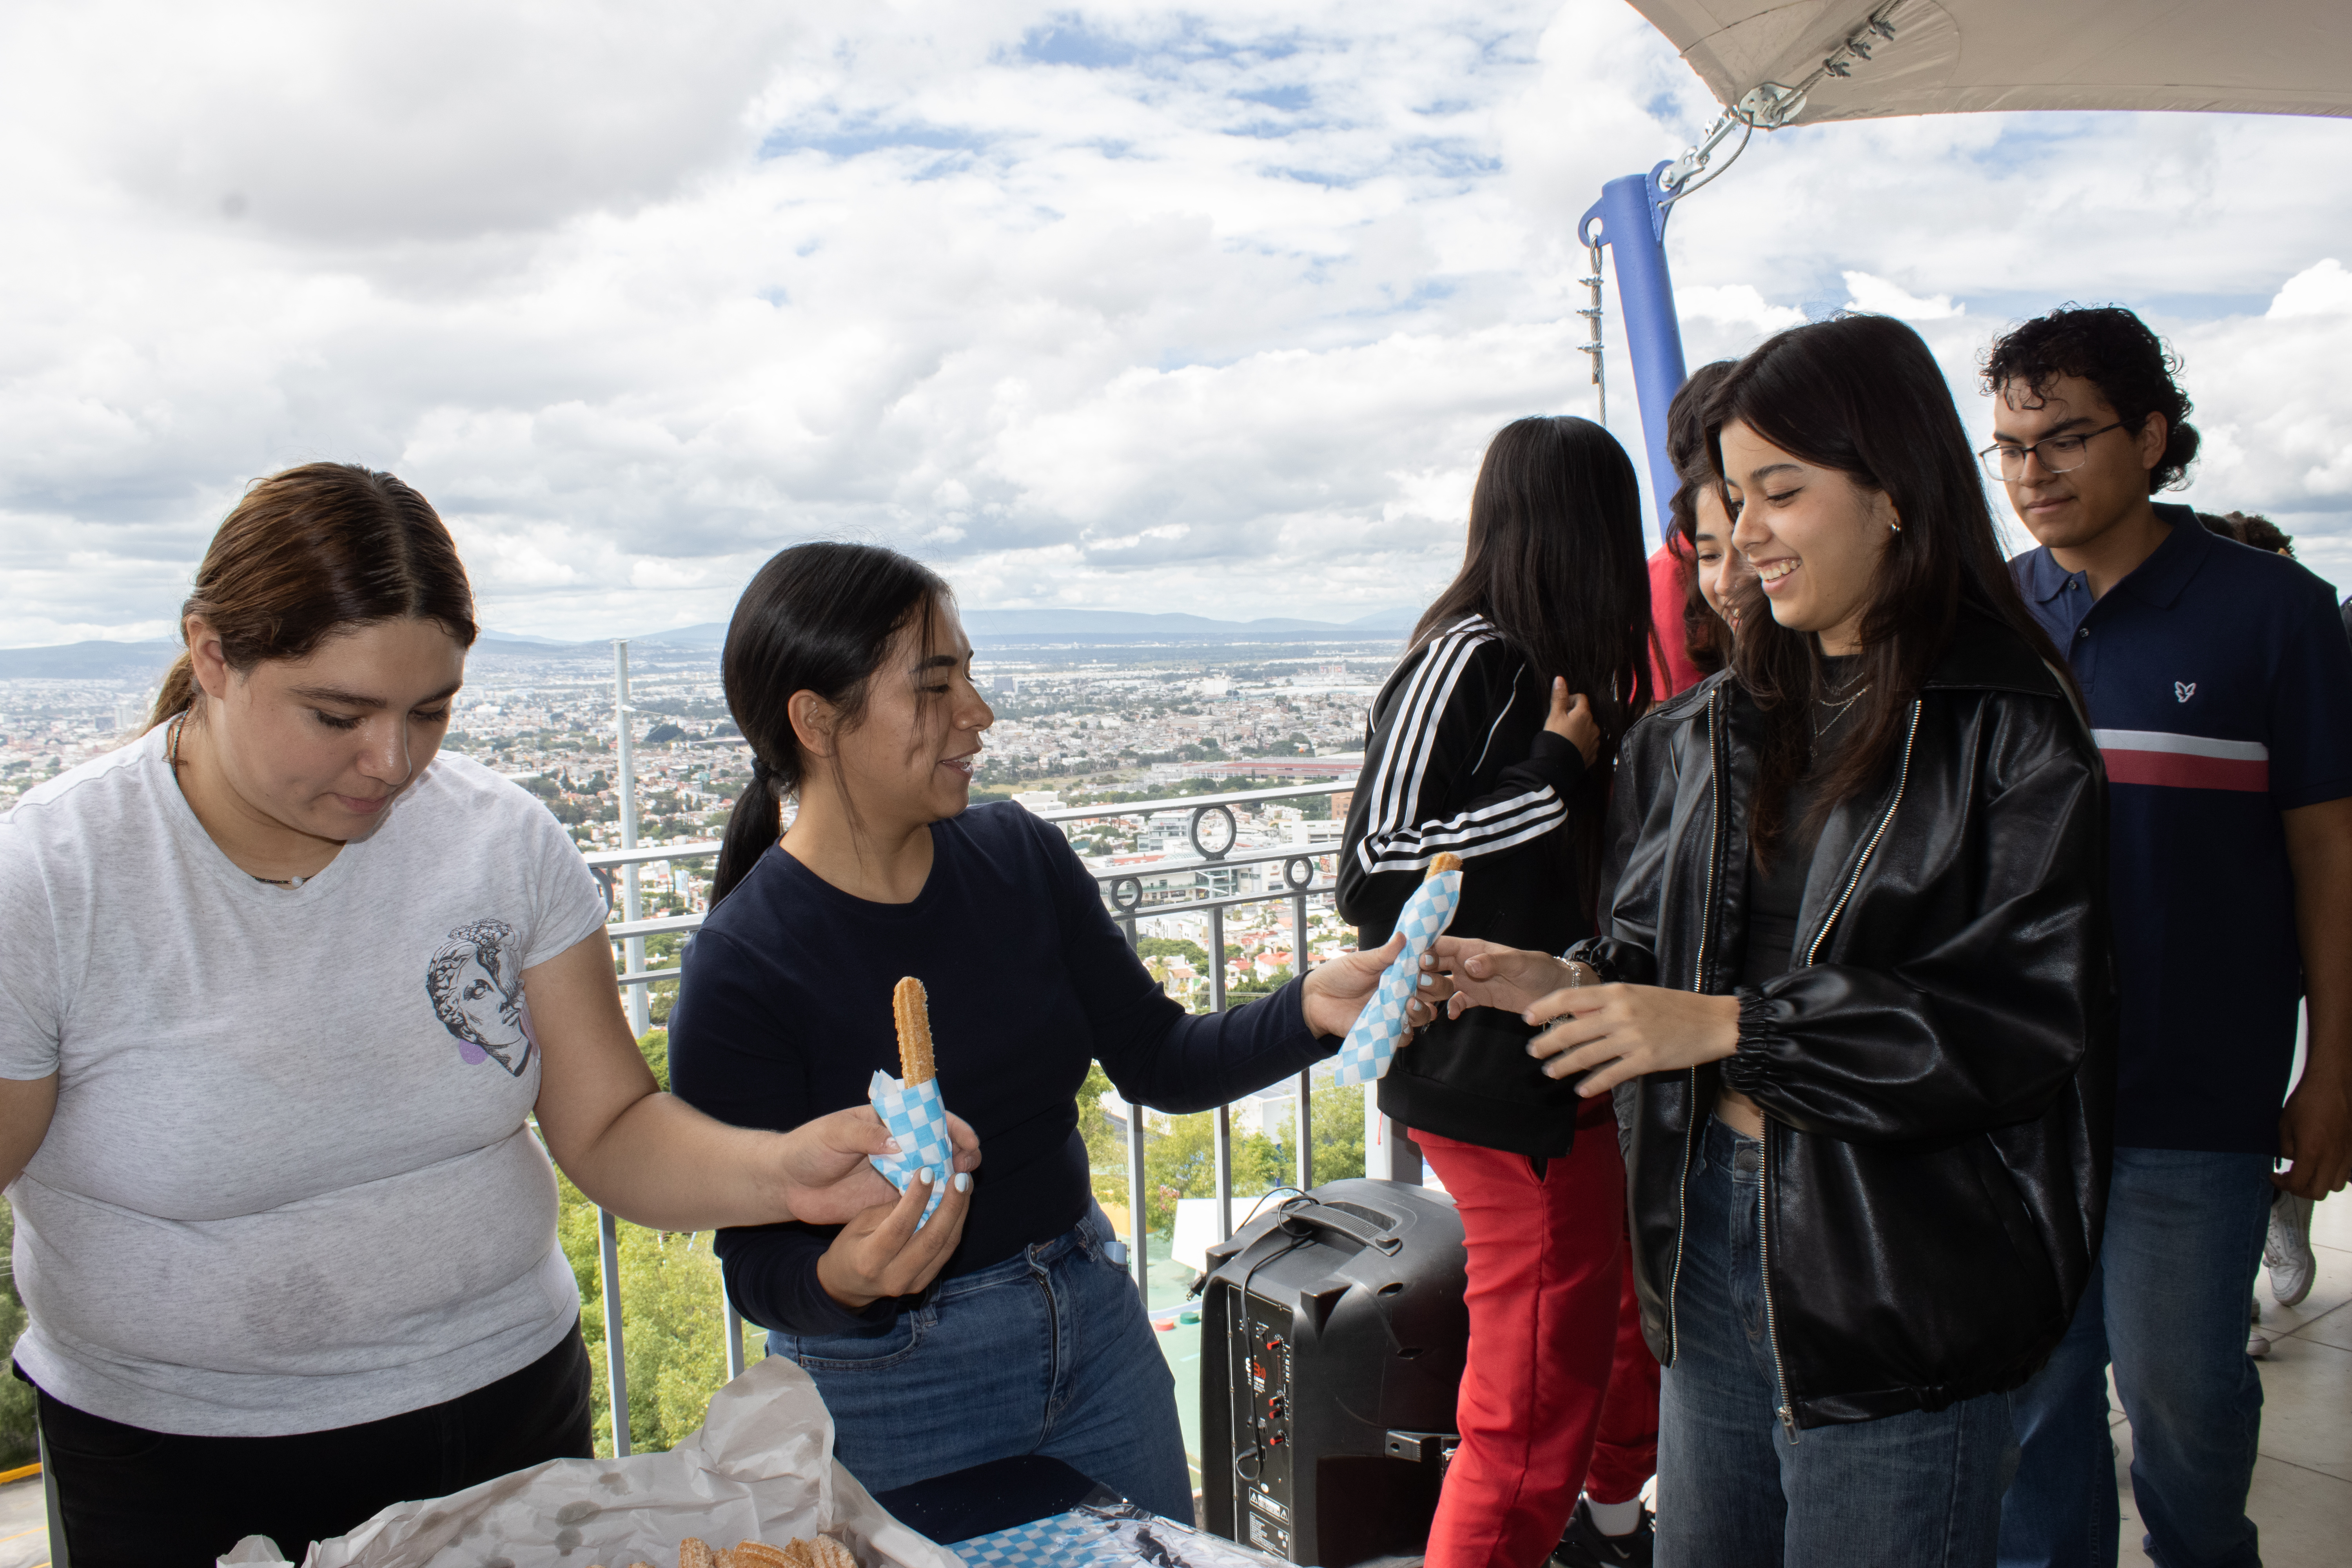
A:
x: 283, y: 996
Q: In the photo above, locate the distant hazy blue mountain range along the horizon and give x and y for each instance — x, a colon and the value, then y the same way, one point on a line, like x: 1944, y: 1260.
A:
x: 987, y: 626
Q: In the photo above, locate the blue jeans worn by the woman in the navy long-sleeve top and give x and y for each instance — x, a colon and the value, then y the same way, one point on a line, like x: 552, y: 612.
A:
x: 1045, y: 1353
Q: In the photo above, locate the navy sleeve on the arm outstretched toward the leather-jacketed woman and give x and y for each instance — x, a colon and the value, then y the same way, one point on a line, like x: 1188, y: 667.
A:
x: 1151, y: 1050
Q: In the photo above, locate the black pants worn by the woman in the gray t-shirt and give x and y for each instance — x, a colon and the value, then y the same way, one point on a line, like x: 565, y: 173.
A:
x: 138, y: 1499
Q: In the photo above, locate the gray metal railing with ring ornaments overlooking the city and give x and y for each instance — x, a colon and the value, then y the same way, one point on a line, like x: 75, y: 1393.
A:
x: 1212, y: 836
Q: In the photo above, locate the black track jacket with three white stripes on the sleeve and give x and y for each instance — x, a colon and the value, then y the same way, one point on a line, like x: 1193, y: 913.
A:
x: 1457, y: 760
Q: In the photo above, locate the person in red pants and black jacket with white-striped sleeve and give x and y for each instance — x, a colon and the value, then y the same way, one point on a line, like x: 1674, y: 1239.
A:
x: 1495, y: 742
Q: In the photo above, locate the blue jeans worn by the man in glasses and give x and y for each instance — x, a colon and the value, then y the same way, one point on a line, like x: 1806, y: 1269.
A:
x: 2170, y: 1306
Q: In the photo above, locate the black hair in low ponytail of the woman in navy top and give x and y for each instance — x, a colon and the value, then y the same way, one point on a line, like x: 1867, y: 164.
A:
x: 815, y: 619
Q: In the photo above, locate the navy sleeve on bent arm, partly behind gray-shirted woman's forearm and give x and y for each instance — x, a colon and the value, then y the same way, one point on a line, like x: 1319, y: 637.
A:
x: 730, y: 1064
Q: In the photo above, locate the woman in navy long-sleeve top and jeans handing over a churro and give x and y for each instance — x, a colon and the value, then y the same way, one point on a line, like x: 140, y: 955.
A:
x: 850, y: 678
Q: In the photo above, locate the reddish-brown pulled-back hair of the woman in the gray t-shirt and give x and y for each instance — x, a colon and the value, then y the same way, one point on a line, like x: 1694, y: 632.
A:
x: 309, y: 554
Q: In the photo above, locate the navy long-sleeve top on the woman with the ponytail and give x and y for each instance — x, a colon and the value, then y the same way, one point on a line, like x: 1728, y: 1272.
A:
x: 784, y: 1014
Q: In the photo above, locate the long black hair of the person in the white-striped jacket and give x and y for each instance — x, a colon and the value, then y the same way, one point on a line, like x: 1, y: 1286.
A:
x: 1556, y: 565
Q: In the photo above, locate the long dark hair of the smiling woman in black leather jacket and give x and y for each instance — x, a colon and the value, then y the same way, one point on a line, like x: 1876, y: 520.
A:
x: 1864, y: 396
